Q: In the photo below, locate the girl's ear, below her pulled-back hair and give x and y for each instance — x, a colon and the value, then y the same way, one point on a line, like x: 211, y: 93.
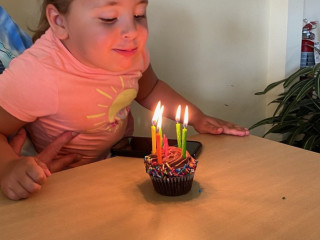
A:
x: 57, y: 22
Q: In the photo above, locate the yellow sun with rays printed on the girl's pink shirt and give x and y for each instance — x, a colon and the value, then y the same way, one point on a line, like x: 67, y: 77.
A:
x: 111, y: 116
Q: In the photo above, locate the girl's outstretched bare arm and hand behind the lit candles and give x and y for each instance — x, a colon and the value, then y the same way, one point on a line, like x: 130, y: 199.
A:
x: 151, y: 90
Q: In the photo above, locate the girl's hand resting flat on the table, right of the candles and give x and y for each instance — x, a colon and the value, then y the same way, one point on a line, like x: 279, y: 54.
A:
x: 207, y: 124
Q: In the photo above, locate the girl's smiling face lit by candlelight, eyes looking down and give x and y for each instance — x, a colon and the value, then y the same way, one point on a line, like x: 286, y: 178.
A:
x: 106, y: 33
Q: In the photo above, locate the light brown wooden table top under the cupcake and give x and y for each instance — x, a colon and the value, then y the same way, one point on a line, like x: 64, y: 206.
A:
x: 244, y: 188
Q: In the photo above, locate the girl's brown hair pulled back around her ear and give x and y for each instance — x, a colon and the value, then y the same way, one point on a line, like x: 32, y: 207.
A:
x: 61, y: 5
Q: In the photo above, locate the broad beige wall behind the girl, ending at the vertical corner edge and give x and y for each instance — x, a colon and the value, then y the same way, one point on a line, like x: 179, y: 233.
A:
x: 214, y: 53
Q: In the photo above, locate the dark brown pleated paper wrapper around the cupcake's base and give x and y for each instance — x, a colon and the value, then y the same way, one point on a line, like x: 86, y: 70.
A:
x: 175, y: 186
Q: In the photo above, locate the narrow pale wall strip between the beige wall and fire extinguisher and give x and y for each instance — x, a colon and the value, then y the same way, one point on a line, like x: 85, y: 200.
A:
x: 284, y: 46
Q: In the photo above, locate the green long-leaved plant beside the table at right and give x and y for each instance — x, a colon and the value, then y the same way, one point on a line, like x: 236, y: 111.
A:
x: 297, y: 116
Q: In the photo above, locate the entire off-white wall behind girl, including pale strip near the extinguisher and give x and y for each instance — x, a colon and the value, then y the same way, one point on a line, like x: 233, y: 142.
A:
x: 217, y: 53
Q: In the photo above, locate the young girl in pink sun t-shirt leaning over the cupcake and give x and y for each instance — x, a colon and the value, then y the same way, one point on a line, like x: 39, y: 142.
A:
x: 88, y: 63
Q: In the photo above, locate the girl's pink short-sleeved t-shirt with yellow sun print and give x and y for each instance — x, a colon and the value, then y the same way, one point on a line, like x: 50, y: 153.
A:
x: 52, y: 90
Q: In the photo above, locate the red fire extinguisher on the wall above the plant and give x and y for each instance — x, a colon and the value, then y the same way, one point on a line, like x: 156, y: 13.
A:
x: 307, y: 45
